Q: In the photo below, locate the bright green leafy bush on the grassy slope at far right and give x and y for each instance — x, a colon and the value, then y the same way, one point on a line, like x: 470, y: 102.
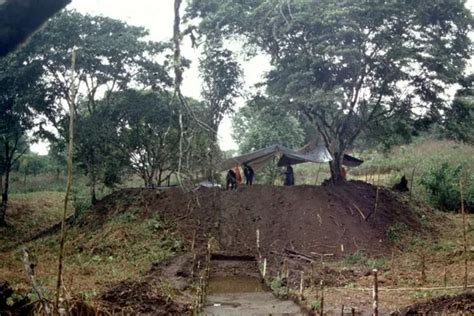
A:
x: 443, y: 184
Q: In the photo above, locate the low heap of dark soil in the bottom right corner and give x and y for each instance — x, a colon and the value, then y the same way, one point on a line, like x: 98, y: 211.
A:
x: 459, y: 304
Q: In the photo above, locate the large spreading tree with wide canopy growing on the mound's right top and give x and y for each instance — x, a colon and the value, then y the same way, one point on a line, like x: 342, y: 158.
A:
x: 348, y: 64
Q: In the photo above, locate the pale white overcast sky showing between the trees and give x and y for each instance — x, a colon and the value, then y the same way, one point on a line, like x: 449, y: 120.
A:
x: 157, y: 16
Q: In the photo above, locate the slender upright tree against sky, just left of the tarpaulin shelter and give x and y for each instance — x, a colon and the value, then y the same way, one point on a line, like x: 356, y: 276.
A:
x: 221, y: 75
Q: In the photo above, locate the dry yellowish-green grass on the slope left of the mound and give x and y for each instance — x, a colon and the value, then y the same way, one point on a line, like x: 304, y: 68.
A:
x: 124, y: 247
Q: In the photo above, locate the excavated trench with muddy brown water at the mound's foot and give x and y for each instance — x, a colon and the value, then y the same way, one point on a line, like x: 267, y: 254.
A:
x: 235, y: 289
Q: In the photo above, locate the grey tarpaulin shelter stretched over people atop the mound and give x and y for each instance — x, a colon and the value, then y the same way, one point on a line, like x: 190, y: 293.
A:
x: 285, y: 156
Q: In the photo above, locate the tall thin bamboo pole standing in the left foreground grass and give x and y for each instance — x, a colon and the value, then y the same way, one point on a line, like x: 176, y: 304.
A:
x: 71, y: 103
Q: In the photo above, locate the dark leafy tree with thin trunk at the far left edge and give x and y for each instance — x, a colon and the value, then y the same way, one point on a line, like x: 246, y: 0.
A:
x: 22, y: 99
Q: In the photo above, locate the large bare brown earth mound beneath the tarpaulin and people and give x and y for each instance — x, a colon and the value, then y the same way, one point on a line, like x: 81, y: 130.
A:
x: 308, y: 219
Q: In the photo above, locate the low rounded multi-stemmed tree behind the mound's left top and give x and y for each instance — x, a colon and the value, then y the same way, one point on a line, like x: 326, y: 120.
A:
x: 148, y: 132
